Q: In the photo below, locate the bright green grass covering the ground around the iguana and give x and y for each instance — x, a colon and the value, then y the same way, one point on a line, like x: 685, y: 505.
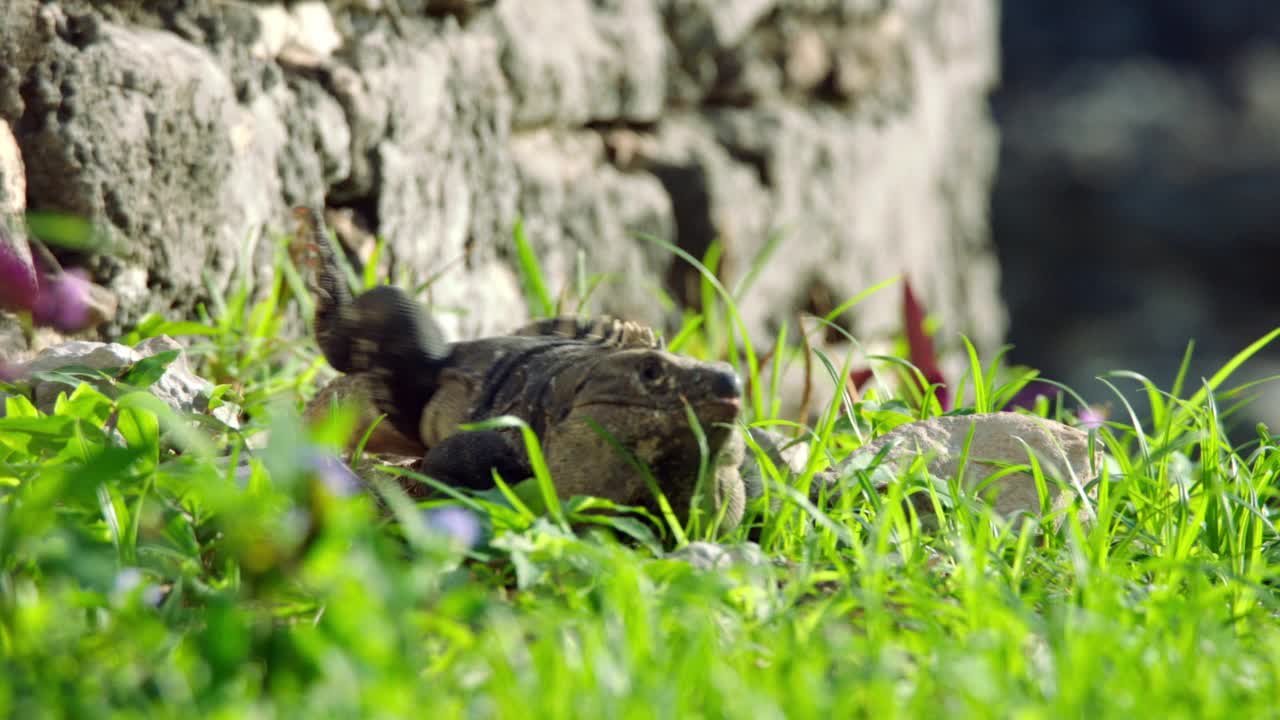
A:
x: 152, y: 567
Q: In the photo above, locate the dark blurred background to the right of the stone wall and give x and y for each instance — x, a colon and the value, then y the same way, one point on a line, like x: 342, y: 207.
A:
x: 1139, y: 198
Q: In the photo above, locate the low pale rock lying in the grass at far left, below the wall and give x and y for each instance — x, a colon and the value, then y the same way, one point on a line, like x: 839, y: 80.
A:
x: 179, y: 388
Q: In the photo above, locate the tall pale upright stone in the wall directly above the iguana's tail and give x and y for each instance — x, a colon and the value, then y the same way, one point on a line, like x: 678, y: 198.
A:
x: 435, y: 117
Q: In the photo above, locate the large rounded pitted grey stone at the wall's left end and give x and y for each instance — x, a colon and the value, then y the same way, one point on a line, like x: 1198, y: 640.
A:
x: 134, y: 126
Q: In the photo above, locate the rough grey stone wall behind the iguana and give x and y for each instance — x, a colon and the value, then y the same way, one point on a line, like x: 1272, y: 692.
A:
x: 857, y: 129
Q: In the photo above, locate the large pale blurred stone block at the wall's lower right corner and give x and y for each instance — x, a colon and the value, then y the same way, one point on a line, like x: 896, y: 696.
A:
x: 848, y: 199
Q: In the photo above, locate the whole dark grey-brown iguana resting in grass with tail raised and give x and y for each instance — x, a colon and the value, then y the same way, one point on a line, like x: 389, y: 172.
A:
x: 561, y: 376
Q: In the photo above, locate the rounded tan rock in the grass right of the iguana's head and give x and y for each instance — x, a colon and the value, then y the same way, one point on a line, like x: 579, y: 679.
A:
x: 998, y: 441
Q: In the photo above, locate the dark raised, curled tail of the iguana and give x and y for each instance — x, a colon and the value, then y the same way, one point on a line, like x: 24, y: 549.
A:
x: 382, y: 332
